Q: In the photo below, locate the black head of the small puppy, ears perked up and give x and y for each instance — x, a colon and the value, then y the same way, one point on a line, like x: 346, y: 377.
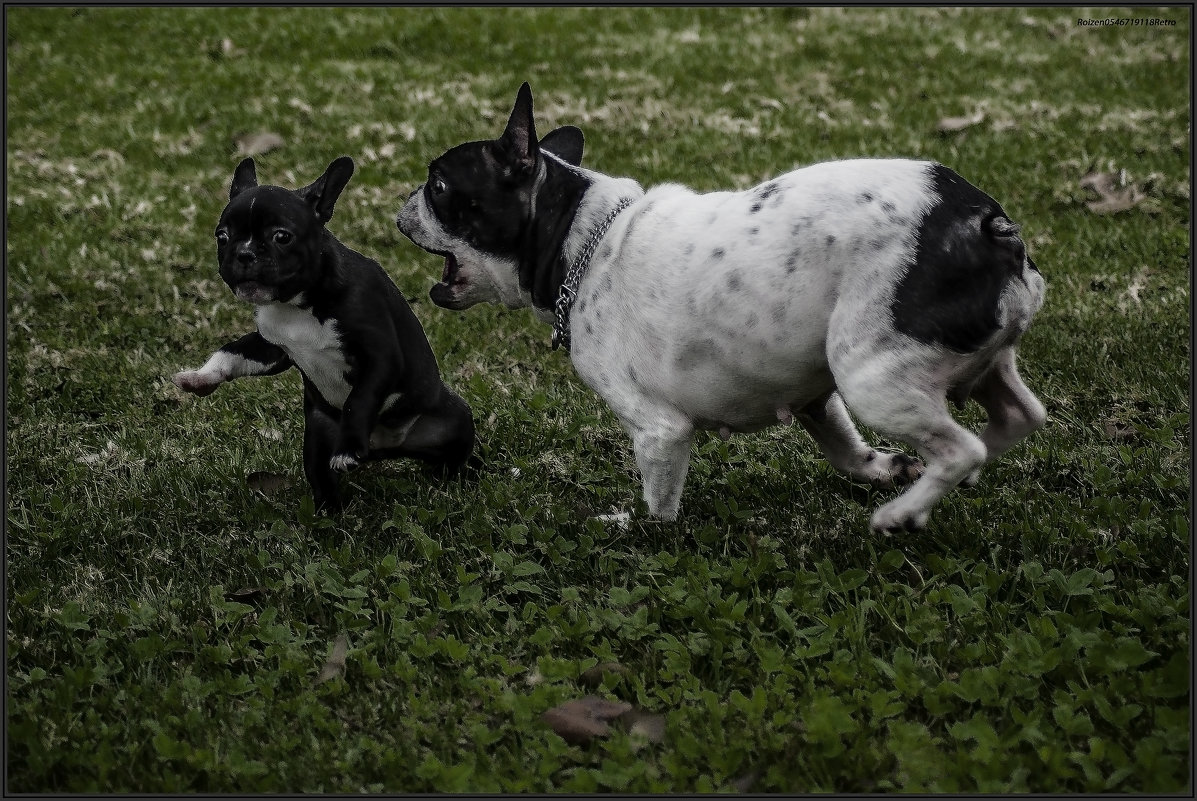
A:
x: 269, y: 239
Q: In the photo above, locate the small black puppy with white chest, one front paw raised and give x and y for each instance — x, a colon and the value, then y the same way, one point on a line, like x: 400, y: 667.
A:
x: 372, y: 384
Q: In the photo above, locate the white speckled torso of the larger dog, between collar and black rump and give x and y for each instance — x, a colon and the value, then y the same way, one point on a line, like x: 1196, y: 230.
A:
x: 718, y: 306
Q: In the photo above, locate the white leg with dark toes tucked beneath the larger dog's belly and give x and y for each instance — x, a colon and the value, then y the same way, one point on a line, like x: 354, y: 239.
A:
x: 828, y: 422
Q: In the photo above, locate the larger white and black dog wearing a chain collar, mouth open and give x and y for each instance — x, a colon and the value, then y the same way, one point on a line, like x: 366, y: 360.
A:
x: 884, y: 287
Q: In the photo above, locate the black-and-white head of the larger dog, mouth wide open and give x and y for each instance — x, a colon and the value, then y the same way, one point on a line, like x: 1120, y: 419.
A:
x: 477, y: 207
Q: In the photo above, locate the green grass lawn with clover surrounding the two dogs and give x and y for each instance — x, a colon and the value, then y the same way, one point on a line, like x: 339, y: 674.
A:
x: 1036, y: 638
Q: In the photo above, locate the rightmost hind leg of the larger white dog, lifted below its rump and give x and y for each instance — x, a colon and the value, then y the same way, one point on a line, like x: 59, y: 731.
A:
x: 1013, y: 410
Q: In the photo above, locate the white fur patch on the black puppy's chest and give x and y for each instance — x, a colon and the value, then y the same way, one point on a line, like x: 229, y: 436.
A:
x: 314, y: 347
